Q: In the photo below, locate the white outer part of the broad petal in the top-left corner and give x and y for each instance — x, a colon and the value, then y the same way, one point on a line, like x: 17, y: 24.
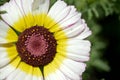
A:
x: 12, y: 14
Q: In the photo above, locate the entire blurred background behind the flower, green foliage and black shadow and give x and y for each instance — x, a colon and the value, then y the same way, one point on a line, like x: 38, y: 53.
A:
x: 103, y: 18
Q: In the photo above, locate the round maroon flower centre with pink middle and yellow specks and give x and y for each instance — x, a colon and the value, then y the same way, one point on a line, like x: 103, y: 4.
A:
x: 36, y: 46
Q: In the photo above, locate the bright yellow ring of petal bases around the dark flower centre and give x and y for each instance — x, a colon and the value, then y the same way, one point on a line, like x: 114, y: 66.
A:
x: 47, y: 22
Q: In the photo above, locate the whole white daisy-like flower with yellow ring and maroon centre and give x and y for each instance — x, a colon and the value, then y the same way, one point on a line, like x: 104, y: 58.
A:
x: 38, y: 43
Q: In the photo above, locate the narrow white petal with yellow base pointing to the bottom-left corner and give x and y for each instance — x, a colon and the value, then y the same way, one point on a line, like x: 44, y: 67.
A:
x: 5, y: 71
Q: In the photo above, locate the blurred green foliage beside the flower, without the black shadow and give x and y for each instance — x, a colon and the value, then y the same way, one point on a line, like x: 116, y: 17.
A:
x: 92, y: 11
